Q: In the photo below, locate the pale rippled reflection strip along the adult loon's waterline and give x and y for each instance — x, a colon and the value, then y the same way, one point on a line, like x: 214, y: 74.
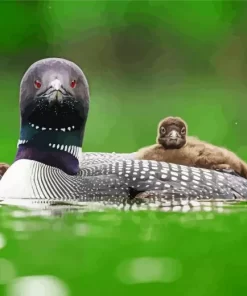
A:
x: 183, y: 206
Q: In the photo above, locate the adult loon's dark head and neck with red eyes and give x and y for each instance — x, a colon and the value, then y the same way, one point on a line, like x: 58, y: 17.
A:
x: 54, y: 104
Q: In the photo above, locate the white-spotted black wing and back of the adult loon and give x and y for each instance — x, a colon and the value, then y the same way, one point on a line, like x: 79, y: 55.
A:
x: 164, y: 180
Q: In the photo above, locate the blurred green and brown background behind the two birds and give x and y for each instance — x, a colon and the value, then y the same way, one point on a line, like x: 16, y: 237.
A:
x: 144, y: 60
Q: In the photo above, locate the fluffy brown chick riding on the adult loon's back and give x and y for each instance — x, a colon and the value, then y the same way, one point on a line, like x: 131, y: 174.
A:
x: 173, y: 145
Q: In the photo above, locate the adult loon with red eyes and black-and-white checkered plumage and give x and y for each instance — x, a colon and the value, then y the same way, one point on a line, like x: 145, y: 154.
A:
x: 50, y: 168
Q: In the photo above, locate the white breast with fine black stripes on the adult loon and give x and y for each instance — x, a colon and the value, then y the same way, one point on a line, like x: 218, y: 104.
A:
x: 28, y: 179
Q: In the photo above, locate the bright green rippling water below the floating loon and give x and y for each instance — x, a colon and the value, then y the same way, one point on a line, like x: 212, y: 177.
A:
x: 64, y: 251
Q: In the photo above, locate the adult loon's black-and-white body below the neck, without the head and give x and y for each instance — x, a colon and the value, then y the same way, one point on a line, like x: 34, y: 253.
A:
x: 116, y: 180
